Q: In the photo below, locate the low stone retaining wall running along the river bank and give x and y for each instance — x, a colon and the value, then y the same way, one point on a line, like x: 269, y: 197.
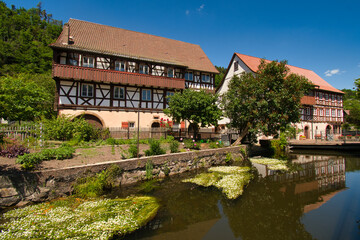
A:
x: 22, y: 187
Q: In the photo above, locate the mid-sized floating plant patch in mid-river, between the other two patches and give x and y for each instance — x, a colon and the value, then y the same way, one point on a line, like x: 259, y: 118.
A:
x: 231, y: 179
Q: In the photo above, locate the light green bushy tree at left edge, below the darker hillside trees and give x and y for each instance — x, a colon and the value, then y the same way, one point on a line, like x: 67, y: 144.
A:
x: 26, y: 97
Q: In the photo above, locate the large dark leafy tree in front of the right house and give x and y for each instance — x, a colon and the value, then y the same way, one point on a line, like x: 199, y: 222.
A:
x: 265, y: 101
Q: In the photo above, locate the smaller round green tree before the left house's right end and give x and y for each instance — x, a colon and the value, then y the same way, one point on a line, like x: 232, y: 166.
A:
x: 197, y: 107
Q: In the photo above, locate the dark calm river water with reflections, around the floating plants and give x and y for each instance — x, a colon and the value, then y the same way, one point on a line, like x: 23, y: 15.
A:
x: 319, y: 201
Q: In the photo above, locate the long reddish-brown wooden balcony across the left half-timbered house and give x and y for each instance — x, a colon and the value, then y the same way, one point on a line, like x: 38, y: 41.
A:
x: 116, y: 77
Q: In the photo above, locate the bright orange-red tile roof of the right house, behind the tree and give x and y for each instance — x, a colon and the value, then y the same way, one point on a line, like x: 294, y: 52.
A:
x: 253, y: 63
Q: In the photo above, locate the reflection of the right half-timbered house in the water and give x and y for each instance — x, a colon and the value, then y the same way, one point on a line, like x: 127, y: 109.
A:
x: 318, y: 179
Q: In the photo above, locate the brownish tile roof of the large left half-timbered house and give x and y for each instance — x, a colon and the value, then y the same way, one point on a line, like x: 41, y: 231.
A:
x: 104, y: 39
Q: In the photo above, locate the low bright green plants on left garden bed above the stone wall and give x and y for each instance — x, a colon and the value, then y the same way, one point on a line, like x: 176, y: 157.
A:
x: 30, y: 160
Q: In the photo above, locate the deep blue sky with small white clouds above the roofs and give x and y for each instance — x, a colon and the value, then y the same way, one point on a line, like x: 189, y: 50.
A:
x: 323, y: 36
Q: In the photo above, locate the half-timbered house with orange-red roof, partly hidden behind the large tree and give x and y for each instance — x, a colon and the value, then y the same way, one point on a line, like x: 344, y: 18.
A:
x: 322, y: 108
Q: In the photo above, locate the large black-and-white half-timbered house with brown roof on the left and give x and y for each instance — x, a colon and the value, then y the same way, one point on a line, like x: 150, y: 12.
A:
x: 108, y: 74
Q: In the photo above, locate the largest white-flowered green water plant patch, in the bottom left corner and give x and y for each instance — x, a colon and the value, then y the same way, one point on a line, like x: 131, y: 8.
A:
x: 74, y: 218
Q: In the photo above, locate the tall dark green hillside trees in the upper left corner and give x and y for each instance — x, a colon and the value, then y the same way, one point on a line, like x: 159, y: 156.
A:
x: 24, y: 39
